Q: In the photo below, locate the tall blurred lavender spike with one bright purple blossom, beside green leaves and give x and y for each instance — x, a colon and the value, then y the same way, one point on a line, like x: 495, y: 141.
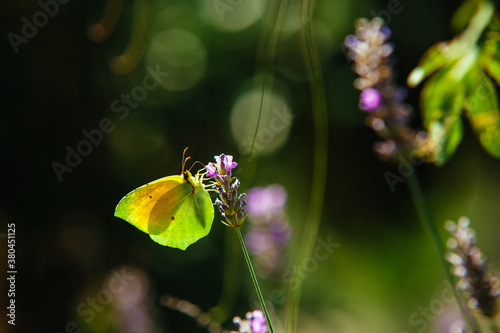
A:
x: 388, y: 116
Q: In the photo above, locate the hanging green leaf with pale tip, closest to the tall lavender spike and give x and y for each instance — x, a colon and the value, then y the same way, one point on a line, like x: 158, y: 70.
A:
x: 441, y: 99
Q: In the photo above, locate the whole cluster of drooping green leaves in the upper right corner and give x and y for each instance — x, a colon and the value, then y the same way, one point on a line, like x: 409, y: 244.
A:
x: 464, y: 73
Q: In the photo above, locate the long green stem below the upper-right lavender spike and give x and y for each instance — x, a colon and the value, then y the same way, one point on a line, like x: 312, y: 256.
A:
x: 428, y: 222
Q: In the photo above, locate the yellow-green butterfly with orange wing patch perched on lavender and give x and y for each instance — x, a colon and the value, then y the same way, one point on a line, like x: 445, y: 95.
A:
x: 175, y: 211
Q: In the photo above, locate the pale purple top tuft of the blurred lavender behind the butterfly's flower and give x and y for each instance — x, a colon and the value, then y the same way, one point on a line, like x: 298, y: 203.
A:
x: 266, y: 200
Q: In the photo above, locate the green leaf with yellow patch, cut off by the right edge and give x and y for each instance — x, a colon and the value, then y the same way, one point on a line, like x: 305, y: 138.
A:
x: 481, y: 107
